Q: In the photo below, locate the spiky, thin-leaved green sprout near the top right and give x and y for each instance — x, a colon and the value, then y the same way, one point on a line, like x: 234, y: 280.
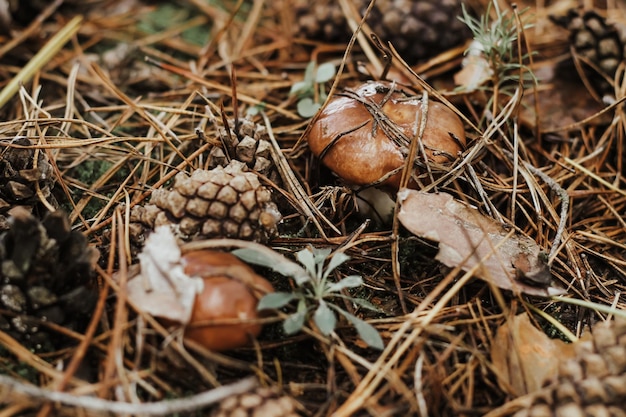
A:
x: 496, y: 41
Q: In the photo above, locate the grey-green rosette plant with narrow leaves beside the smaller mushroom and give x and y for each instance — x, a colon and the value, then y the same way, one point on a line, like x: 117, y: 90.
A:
x: 314, y: 293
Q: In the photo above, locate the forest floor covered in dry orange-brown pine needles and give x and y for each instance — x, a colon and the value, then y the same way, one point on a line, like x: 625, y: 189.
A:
x: 129, y: 94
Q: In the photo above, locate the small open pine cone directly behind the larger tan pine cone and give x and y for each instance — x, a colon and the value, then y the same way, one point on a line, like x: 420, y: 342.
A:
x: 247, y: 142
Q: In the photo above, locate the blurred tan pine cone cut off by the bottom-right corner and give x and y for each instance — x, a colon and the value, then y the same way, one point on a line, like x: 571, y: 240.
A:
x: 591, y: 384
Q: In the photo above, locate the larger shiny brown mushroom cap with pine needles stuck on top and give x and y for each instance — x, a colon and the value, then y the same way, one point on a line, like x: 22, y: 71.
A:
x: 362, y: 135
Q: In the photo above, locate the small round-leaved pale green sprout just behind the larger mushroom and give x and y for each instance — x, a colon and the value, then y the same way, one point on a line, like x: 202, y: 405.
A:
x: 308, y: 102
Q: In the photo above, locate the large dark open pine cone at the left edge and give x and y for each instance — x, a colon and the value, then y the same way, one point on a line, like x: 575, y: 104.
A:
x: 47, y: 276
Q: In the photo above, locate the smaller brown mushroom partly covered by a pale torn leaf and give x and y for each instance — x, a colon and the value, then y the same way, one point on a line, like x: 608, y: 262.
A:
x: 231, y: 292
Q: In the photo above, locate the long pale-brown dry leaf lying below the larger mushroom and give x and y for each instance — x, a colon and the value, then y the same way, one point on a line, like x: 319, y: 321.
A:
x: 469, y: 239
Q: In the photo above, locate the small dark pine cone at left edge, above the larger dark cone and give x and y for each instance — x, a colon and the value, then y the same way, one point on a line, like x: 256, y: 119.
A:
x: 19, y: 177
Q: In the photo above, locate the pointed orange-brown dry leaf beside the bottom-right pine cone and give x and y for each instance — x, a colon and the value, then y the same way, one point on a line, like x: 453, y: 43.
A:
x: 525, y: 357
